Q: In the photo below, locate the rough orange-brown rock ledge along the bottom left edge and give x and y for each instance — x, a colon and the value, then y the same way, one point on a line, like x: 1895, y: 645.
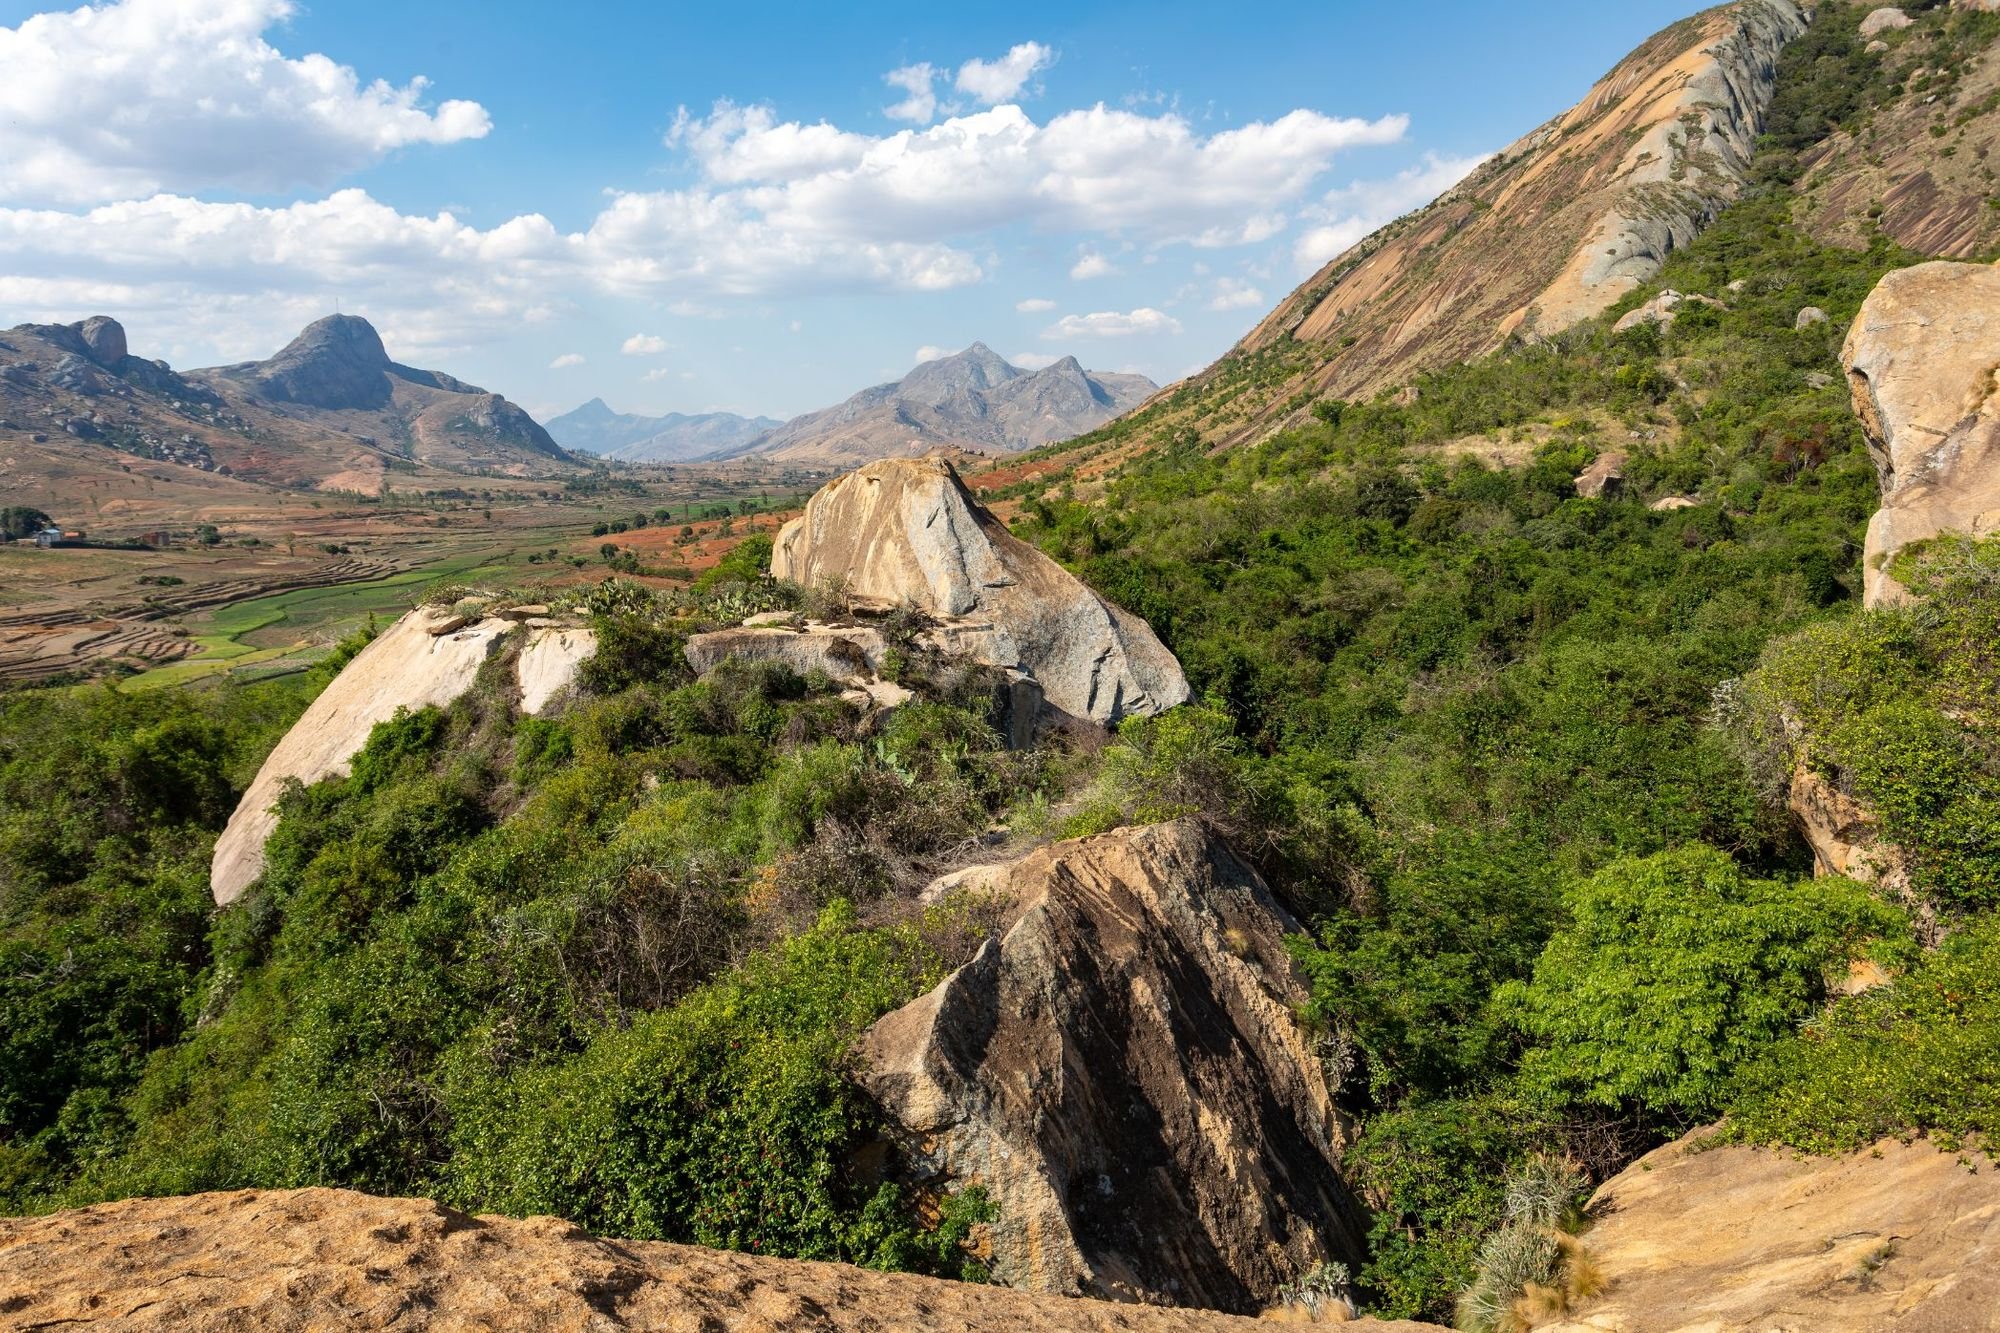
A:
x: 263, y: 1262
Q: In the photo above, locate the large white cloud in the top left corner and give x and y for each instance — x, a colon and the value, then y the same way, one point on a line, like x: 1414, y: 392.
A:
x: 181, y: 95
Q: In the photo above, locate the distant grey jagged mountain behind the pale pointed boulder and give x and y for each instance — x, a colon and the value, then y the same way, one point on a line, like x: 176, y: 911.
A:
x: 973, y: 399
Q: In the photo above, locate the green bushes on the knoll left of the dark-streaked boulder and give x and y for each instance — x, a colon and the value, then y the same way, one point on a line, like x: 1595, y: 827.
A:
x: 603, y: 966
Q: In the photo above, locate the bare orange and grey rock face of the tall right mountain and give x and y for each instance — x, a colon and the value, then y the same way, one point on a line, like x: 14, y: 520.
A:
x: 1555, y: 229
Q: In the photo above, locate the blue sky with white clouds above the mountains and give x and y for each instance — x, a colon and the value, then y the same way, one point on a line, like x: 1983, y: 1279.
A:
x: 755, y: 209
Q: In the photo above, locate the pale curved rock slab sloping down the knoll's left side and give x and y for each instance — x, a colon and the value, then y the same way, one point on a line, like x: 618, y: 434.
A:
x: 425, y: 659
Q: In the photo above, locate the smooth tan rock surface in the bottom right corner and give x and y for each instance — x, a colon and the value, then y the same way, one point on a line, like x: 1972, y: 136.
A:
x: 1735, y: 1238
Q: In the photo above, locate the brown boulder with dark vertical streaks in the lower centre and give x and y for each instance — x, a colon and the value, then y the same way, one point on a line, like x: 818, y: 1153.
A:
x: 1127, y: 1078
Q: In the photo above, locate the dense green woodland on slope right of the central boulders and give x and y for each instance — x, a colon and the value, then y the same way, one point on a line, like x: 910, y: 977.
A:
x: 1479, y: 720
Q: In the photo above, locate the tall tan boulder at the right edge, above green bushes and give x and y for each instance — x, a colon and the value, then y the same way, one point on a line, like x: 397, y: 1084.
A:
x: 1921, y: 361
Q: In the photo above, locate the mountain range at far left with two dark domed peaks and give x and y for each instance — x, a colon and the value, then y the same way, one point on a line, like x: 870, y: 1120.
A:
x: 329, y: 411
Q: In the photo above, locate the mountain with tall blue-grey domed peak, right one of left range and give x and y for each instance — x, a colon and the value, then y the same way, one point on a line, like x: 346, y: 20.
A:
x: 339, y: 375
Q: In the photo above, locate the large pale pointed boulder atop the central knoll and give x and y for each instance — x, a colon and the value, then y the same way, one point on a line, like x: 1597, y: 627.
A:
x: 907, y: 531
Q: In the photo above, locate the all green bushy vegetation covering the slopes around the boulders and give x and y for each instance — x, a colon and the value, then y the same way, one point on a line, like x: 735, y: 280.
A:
x: 1515, y: 756
